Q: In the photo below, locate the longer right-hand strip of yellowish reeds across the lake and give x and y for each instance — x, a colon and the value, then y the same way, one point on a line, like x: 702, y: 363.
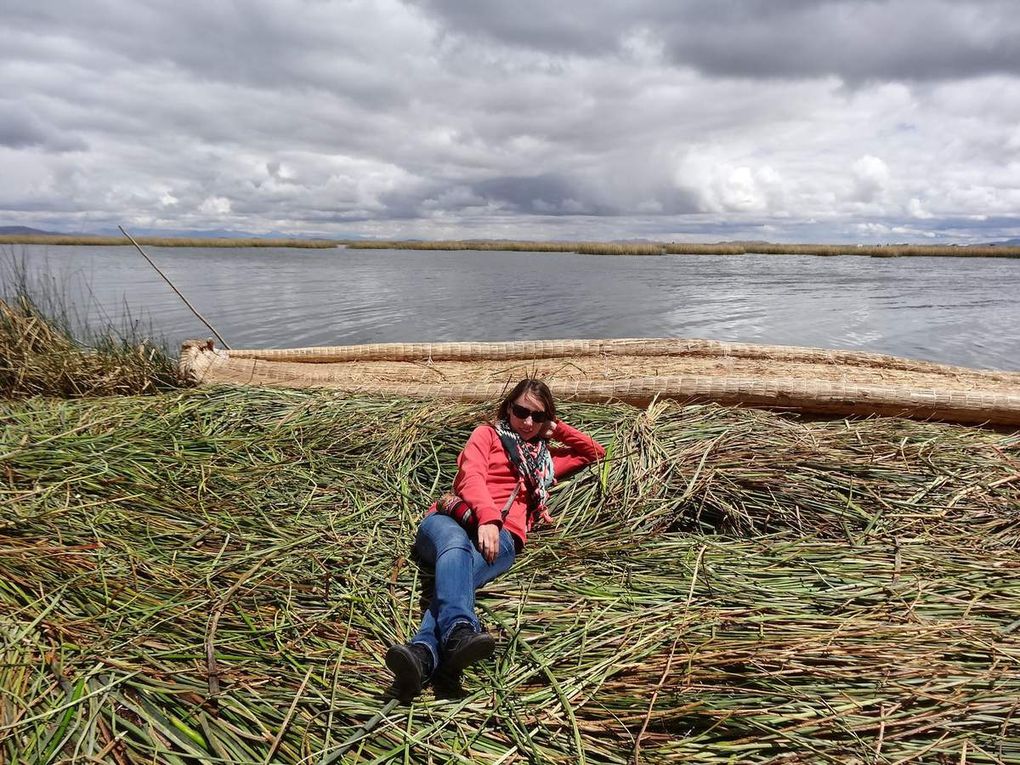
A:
x: 675, y: 248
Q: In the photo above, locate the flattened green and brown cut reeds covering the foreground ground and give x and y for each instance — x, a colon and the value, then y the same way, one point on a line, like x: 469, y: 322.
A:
x: 214, y: 577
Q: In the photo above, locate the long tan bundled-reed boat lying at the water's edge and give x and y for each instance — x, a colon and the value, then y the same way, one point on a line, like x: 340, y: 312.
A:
x: 633, y: 371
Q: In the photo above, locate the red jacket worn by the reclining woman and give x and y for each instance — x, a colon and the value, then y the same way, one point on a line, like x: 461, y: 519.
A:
x: 486, y: 477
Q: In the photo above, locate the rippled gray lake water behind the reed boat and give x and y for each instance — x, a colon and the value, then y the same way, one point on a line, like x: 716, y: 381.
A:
x: 954, y: 311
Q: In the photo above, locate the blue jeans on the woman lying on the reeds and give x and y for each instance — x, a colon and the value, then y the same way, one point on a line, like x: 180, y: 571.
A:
x: 461, y: 570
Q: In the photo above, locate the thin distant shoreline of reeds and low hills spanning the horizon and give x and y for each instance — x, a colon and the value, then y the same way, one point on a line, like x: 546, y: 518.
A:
x: 583, y: 248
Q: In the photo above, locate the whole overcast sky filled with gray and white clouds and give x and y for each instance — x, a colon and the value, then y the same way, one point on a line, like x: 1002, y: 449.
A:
x: 793, y: 121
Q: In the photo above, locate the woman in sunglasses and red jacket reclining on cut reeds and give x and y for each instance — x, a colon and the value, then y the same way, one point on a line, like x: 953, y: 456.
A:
x: 503, y: 480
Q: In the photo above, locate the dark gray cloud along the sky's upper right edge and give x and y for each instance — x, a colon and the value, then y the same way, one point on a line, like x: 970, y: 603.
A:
x: 760, y: 39
